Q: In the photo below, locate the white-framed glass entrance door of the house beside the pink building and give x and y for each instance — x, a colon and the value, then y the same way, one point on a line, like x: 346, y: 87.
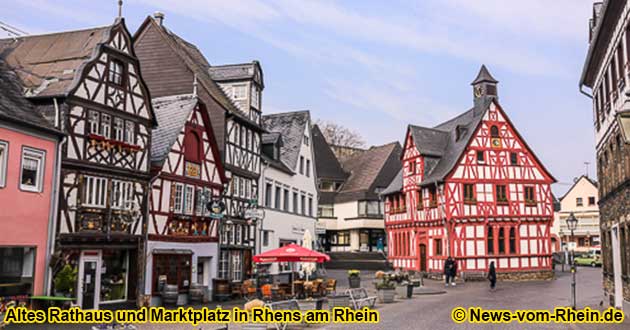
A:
x: 89, y: 280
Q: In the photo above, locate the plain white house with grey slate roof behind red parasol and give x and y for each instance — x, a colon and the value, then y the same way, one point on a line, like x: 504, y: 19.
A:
x: 288, y: 182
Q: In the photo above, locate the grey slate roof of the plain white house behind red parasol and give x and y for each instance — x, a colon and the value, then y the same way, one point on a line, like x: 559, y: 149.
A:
x: 291, y: 126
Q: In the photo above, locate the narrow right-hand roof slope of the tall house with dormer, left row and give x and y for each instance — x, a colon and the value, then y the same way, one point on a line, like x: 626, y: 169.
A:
x: 197, y: 63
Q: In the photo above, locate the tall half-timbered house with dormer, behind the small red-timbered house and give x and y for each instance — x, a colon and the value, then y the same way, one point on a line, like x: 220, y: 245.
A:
x: 231, y: 96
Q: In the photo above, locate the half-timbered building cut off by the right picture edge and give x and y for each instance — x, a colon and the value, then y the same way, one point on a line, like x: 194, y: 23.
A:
x: 605, y: 73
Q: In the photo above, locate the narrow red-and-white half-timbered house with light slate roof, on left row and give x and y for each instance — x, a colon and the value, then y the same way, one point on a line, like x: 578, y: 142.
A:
x: 183, y: 237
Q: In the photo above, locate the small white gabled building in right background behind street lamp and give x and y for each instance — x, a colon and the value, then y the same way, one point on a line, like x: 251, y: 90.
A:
x: 581, y: 200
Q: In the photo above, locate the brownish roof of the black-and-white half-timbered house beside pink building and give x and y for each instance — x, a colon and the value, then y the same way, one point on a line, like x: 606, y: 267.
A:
x: 48, y: 64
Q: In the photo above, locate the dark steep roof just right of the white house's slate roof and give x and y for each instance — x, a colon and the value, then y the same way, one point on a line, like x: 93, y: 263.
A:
x: 326, y: 163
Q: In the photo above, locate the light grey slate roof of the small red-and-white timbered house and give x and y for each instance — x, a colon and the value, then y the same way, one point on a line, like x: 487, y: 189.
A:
x: 171, y: 114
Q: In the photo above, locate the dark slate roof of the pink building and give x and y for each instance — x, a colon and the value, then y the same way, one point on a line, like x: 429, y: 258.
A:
x: 15, y: 107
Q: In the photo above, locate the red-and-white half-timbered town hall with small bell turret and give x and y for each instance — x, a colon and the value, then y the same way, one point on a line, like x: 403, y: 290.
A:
x: 472, y: 189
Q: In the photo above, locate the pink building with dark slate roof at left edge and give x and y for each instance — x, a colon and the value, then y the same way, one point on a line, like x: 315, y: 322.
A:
x: 28, y: 186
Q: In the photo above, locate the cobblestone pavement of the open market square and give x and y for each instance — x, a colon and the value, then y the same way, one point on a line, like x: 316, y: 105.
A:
x: 434, y: 311
